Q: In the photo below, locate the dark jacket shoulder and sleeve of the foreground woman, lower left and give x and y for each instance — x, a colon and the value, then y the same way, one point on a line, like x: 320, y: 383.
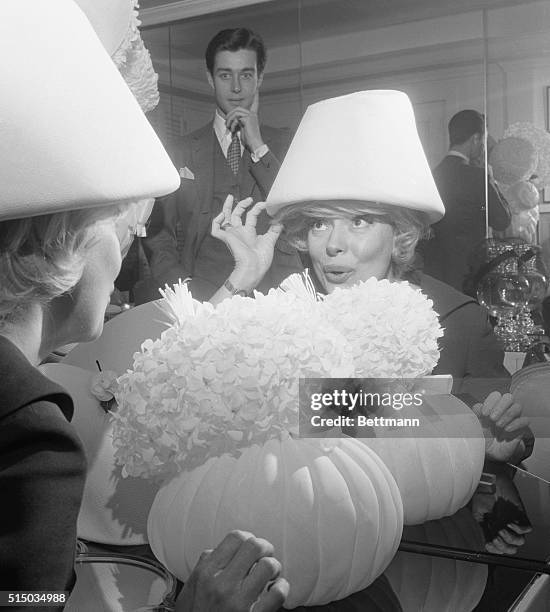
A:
x: 42, y: 473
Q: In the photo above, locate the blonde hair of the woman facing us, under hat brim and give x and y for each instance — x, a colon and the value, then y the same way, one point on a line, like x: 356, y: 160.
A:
x: 409, y: 225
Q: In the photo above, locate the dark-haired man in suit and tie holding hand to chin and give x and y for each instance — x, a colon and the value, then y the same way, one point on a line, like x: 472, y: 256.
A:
x: 232, y: 155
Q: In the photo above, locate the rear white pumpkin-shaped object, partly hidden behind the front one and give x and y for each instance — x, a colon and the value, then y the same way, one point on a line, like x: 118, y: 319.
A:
x: 437, y: 467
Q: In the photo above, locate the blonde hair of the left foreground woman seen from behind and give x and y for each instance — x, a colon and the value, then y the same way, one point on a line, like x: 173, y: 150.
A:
x: 43, y: 257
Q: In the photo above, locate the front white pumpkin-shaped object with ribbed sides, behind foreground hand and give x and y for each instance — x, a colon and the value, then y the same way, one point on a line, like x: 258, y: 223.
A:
x: 330, y: 507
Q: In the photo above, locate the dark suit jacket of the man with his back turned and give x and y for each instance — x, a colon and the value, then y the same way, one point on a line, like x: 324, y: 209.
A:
x: 462, y: 188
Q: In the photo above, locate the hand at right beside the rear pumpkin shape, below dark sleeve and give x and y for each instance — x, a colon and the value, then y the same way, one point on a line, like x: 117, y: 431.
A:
x: 503, y: 425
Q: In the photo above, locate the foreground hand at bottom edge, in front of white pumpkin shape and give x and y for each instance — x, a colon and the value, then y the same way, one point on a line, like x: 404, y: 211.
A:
x: 239, y: 575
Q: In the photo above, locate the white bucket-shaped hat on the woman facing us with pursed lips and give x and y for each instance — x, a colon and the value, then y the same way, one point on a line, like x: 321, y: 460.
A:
x: 362, y: 146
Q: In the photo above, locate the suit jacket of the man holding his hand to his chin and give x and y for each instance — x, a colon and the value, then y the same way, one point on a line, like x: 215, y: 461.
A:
x: 191, y: 207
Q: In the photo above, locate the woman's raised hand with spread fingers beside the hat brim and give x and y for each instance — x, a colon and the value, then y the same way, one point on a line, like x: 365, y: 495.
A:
x: 253, y: 253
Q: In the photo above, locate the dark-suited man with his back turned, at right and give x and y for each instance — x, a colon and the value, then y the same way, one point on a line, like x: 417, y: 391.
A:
x: 461, y: 184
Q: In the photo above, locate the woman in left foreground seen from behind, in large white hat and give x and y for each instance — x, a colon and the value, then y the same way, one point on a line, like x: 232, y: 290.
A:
x: 79, y: 167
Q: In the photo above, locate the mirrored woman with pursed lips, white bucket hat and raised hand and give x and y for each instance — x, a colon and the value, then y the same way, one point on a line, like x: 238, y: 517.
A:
x: 354, y: 194
